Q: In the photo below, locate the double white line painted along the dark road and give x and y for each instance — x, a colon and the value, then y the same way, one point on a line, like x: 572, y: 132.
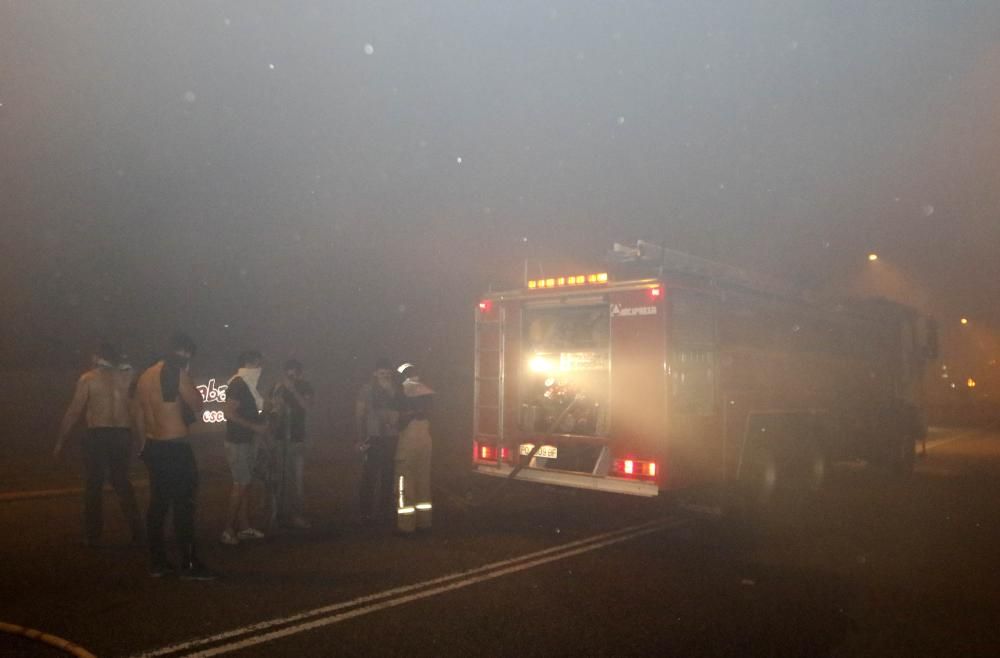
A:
x: 401, y: 595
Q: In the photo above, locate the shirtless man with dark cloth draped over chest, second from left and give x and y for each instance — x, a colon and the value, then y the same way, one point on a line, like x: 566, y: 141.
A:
x: 167, y: 403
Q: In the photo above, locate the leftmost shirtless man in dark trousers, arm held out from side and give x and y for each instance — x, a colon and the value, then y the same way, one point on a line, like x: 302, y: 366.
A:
x: 102, y: 395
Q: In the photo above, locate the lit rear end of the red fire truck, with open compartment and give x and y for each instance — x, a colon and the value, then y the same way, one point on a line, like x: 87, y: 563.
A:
x: 569, y: 384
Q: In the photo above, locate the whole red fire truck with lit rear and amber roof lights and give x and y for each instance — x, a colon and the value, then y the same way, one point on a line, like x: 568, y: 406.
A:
x: 676, y: 373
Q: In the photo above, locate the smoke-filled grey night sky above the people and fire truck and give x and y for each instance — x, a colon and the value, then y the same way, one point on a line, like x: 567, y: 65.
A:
x: 322, y: 176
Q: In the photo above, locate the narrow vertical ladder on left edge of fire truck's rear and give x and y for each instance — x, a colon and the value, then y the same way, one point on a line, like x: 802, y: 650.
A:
x: 487, y: 390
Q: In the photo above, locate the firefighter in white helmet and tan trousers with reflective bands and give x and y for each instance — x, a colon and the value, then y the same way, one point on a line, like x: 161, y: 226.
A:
x: 413, y: 454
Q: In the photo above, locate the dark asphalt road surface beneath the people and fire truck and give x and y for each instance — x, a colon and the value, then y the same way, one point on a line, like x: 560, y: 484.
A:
x: 873, y: 566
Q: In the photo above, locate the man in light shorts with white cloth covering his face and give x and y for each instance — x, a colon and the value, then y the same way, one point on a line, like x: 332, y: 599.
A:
x: 244, y: 424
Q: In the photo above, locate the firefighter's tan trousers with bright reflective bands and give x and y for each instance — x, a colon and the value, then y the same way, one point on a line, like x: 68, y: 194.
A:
x: 413, y: 477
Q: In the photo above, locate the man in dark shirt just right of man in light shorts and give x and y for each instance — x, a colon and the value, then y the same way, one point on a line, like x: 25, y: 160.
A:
x: 290, y: 399
